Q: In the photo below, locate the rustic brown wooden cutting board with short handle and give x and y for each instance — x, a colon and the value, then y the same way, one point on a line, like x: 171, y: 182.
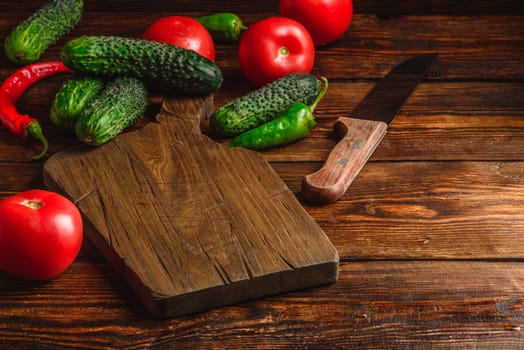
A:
x: 192, y: 224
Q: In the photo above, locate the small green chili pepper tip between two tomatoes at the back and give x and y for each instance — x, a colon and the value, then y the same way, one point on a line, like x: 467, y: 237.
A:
x: 223, y: 27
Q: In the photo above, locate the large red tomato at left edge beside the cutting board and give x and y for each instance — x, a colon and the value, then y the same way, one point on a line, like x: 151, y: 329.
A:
x: 40, y: 234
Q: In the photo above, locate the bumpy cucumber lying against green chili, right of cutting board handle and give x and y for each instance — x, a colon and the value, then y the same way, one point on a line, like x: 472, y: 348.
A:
x: 261, y: 105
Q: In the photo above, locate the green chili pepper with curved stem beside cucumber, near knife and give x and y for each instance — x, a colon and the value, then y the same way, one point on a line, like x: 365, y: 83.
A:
x: 291, y: 125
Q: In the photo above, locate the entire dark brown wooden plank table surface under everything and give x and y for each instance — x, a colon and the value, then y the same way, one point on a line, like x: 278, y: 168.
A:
x: 430, y: 234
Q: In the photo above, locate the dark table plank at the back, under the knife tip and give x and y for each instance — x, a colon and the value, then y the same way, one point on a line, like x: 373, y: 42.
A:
x: 370, y: 48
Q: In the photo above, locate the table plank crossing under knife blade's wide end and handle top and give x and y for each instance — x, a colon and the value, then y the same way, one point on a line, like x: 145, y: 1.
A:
x: 440, y: 121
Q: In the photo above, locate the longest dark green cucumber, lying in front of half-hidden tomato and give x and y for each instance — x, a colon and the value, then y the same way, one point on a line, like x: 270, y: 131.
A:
x: 173, y: 68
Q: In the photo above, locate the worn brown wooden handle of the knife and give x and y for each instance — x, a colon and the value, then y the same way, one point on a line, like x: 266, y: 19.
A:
x: 359, y: 140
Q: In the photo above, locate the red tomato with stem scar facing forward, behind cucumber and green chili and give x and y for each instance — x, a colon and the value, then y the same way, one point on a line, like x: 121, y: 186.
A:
x: 274, y: 47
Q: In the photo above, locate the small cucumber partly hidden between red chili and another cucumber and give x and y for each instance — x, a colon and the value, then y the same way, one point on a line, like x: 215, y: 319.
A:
x: 72, y: 98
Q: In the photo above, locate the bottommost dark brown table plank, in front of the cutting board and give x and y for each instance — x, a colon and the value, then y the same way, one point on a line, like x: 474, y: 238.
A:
x: 375, y: 305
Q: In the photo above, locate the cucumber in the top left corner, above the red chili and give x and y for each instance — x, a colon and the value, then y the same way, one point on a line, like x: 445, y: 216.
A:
x: 26, y: 43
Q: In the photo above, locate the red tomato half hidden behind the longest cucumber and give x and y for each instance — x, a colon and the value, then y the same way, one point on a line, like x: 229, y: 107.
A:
x: 183, y: 32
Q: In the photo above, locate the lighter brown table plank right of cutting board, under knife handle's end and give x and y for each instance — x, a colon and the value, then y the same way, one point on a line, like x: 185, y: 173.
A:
x: 425, y: 210
